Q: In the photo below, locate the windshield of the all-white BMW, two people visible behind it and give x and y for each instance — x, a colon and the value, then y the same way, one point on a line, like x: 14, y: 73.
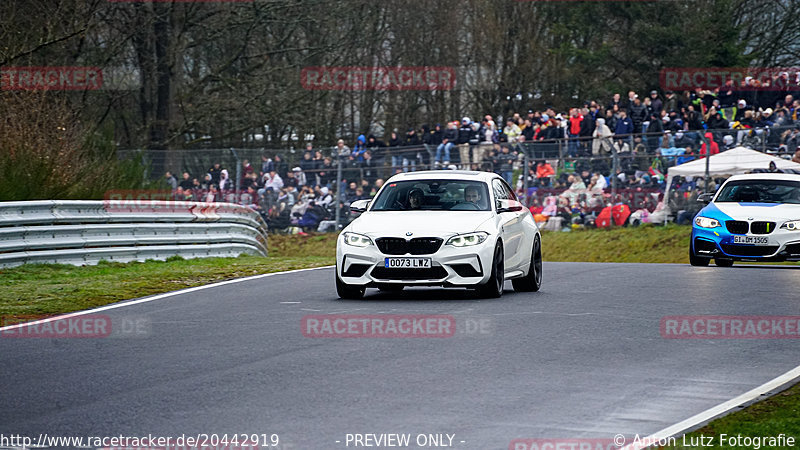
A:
x: 434, y: 195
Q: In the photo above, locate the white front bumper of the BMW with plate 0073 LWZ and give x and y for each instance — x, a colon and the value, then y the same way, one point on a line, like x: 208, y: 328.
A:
x: 450, y: 266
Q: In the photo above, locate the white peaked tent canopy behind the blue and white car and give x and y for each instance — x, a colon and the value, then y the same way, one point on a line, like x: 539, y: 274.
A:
x: 734, y: 161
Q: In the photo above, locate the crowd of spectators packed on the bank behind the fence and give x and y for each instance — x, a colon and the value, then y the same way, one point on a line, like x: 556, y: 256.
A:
x: 570, y: 171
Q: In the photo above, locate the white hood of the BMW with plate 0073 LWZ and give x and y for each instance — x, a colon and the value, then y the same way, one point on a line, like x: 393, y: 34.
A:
x: 420, y: 223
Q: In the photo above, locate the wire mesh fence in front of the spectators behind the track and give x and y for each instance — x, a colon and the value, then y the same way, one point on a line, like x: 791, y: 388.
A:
x: 577, y: 177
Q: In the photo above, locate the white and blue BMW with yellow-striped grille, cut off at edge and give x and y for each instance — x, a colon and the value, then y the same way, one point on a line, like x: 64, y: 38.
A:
x: 752, y: 217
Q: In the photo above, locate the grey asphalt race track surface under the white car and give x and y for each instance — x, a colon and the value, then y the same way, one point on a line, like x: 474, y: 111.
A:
x: 582, y: 358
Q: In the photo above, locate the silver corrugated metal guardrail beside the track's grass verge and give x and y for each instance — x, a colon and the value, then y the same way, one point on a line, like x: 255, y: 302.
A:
x: 86, y: 232
